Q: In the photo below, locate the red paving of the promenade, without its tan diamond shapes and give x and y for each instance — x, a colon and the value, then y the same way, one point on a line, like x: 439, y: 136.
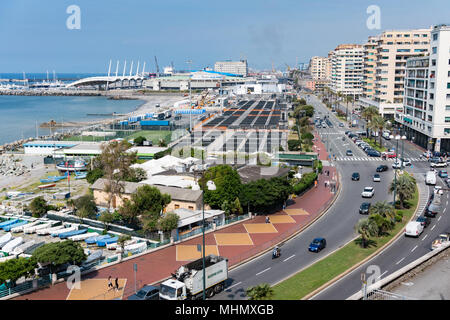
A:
x: 157, y: 265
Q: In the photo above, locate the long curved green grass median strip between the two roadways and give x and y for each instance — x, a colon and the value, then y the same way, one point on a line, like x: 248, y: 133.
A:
x: 325, y: 270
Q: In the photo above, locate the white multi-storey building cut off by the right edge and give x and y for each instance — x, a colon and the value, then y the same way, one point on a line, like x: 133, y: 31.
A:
x: 425, y: 117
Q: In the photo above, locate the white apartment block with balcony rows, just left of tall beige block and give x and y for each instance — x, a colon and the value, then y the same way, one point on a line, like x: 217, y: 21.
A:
x: 347, y: 69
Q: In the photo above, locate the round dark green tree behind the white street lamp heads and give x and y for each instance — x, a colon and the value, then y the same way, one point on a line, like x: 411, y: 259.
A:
x: 228, y: 185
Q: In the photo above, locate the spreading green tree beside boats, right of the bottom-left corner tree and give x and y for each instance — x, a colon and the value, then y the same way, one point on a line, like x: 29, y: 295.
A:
x: 57, y: 254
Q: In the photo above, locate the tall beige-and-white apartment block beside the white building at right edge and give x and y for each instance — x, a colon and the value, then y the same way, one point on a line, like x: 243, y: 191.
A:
x: 393, y: 48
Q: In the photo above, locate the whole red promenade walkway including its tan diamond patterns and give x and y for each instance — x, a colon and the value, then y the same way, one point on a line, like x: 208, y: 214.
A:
x: 237, y: 242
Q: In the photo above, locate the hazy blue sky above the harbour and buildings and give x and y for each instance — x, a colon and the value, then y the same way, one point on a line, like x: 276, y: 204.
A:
x: 35, y: 37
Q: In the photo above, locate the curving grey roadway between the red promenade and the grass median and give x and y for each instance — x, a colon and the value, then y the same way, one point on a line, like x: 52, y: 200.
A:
x: 337, y: 225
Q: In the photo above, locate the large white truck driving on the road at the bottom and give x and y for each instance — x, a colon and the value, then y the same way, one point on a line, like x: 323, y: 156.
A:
x: 187, y: 281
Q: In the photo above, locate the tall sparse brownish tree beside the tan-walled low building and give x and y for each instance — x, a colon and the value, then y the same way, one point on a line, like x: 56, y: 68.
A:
x: 116, y: 162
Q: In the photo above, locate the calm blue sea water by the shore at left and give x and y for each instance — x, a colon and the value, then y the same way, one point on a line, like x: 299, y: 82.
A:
x: 19, y: 114
